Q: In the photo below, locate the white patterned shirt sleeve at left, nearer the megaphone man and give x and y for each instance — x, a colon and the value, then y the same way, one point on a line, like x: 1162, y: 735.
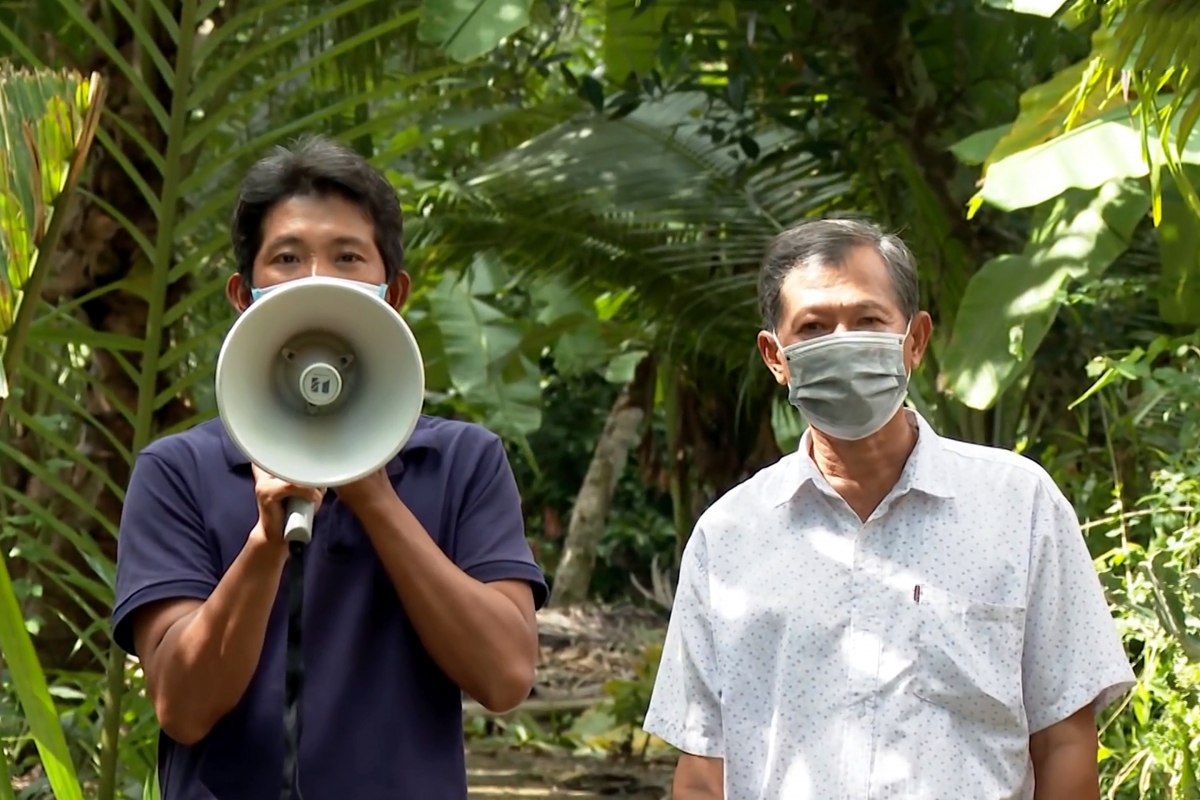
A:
x: 686, y: 709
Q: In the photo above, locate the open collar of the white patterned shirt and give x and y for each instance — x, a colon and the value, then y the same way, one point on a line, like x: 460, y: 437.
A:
x: 925, y: 472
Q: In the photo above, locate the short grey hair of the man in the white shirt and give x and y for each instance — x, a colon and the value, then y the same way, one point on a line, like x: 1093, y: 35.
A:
x: 826, y: 243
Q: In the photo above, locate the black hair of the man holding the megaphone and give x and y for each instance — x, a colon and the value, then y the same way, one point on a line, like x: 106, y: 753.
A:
x: 315, y: 165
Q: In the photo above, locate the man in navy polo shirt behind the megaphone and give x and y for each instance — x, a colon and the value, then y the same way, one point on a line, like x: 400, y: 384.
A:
x: 418, y: 584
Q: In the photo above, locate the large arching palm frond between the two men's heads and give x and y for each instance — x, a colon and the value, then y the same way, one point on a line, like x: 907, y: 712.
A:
x: 646, y: 200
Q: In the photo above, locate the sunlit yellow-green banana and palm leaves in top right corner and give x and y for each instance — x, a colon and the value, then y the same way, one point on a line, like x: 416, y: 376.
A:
x: 1118, y: 124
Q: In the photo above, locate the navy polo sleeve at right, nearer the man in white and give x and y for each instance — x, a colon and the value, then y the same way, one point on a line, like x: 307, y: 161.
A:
x: 490, y: 543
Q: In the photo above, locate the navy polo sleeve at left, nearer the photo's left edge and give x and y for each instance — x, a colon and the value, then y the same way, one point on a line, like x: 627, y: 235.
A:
x: 163, y: 550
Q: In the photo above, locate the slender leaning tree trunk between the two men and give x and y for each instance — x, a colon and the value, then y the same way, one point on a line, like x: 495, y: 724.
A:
x: 595, y: 501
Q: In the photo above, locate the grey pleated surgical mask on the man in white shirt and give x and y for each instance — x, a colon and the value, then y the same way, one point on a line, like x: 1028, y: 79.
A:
x: 848, y: 386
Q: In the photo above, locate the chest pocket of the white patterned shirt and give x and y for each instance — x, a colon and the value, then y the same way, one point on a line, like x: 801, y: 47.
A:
x: 969, y: 655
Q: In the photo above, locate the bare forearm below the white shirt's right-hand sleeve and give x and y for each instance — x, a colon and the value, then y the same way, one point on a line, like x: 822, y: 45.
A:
x: 1065, y: 760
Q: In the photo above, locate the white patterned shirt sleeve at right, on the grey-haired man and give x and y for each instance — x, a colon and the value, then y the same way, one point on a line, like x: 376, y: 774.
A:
x: 1073, y: 654
